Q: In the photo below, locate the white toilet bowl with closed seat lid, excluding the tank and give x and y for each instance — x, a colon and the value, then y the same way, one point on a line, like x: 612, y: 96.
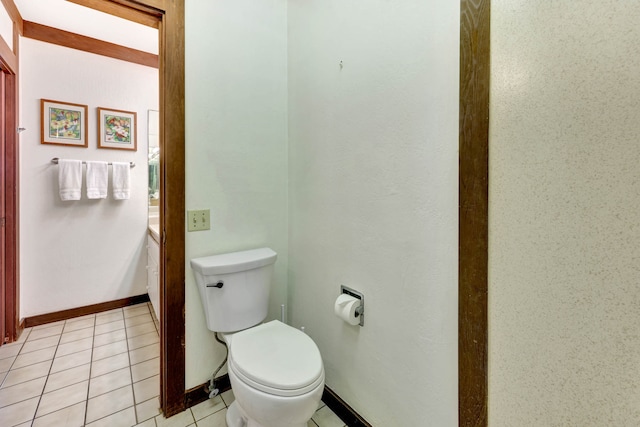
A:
x: 276, y: 375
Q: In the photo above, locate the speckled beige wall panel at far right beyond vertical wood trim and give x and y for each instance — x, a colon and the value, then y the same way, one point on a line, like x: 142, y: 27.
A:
x: 564, y: 197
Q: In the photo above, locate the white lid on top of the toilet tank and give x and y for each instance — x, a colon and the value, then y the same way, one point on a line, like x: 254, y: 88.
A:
x: 234, y: 262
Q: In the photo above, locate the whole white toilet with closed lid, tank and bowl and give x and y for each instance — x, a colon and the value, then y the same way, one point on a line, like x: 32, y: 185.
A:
x: 275, y: 370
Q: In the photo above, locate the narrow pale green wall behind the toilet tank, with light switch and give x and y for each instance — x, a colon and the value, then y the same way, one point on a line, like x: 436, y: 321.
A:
x: 236, y: 148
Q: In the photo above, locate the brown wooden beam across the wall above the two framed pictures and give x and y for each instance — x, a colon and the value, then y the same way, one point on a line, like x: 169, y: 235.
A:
x: 52, y: 35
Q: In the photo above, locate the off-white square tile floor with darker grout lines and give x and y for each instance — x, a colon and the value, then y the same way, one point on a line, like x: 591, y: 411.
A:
x: 99, y: 370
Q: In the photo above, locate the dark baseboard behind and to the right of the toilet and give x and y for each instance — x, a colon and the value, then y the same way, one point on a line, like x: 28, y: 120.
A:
x: 339, y: 407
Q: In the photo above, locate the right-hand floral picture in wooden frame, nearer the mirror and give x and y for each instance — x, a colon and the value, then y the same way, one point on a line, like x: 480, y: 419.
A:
x: 117, y: 129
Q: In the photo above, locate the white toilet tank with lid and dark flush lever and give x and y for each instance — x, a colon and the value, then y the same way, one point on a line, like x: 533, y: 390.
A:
x: 234, y: 288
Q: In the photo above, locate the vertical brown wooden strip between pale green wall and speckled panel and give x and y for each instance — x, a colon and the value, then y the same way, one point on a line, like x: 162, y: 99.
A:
x: 473, y: 212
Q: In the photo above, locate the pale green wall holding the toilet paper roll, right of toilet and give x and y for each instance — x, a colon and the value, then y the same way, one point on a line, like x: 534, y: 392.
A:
x: 373, y: 136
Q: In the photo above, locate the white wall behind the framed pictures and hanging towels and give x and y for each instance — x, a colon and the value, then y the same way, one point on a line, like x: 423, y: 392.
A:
x: 89, y: 251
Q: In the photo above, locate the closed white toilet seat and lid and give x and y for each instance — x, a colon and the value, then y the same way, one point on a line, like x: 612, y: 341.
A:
x: 276, y: 359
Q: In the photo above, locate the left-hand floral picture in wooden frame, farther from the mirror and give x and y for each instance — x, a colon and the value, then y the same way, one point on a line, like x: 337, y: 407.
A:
x: 63, y: 123
